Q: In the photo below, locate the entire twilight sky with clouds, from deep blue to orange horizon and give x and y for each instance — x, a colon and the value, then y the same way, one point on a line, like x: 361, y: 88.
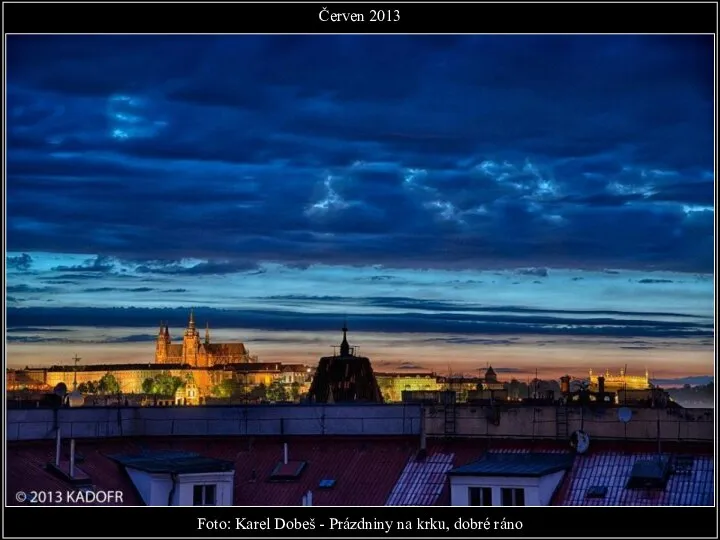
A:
x: 529, y: 201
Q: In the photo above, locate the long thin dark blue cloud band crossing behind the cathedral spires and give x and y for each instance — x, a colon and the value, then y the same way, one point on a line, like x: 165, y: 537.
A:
x: 488, y: 324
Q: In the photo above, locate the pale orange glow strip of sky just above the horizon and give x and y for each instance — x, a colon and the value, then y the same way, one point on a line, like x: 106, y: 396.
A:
x: 408, y: 352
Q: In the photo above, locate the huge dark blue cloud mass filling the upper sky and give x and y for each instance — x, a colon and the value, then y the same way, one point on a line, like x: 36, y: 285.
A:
x: 406, y: 151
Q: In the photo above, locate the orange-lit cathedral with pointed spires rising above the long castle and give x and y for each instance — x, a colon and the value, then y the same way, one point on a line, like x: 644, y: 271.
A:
x: 194, y: 352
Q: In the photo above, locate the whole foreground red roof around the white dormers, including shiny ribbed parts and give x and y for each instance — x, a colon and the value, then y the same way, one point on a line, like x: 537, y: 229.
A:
x: 367, y: 471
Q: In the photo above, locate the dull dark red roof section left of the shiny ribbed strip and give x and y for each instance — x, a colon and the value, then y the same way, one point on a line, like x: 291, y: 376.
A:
x: 365, y: 470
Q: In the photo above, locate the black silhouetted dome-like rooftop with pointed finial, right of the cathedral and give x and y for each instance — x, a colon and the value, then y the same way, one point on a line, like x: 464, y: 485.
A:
x: 344, y: 377
